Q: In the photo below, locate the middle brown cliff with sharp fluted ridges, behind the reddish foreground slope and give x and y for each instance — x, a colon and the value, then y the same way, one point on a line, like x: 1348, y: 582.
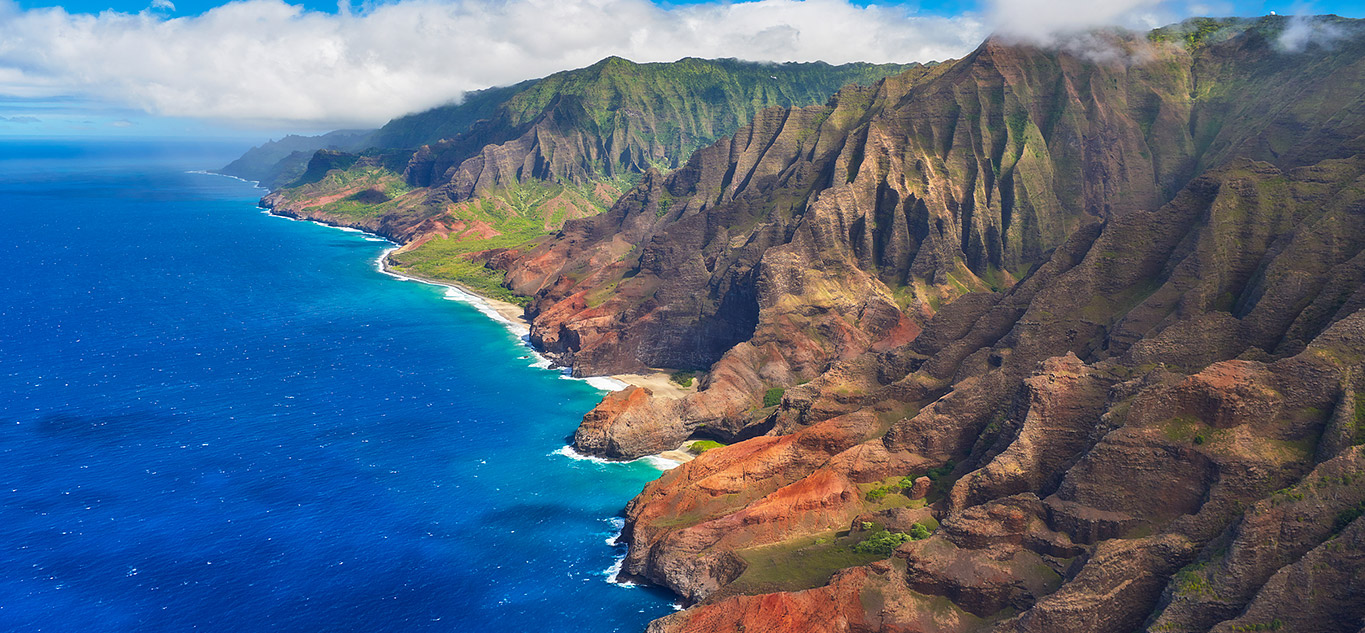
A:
x: 816, y: 235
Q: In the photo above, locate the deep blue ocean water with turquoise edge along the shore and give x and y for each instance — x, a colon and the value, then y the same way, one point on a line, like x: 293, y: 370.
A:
x: 214, y: 419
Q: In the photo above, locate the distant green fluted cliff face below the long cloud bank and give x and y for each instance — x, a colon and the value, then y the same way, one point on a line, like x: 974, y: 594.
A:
x: 619, y: 118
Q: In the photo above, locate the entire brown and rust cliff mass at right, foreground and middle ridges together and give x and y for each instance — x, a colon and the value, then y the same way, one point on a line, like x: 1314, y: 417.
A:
x: 1109, y: 299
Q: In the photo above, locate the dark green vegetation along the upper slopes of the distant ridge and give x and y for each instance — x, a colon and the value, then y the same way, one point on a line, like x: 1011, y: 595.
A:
x: 665, y: 110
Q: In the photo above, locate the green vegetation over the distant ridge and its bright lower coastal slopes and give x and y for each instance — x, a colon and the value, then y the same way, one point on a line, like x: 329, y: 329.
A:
x: 664, y: 113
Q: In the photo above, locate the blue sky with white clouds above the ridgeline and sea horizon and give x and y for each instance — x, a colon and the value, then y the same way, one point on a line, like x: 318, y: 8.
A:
x: 260, y: 69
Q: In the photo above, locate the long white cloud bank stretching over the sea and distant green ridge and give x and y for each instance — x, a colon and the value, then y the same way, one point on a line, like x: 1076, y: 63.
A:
x: 270, y: 63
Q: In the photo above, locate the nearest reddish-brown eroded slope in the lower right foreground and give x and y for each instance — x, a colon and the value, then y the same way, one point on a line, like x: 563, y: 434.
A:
x: 1089, y: 471
